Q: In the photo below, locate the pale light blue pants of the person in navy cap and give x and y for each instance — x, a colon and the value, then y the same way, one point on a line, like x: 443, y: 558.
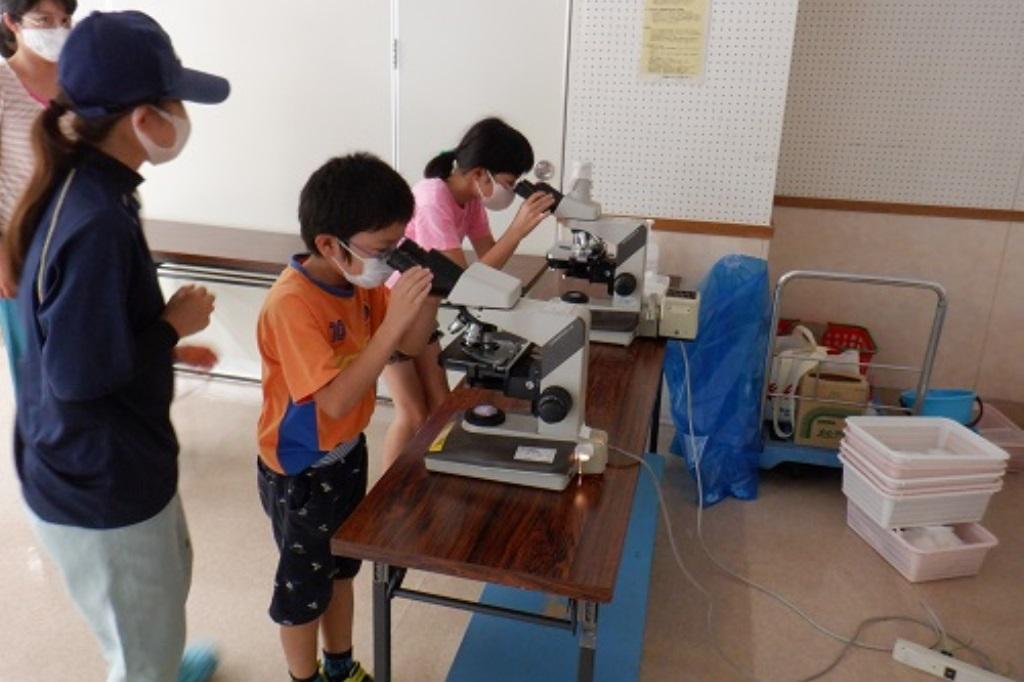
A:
x: 132, y: 585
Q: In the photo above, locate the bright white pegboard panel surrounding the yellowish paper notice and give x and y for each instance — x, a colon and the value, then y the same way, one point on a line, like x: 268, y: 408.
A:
x: 703, y: 150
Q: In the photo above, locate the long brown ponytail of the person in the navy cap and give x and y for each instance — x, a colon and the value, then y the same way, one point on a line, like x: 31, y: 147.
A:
x: 56, y: 155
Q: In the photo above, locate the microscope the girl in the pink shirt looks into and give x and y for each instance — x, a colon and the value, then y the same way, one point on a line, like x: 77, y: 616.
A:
x: 603, y: 259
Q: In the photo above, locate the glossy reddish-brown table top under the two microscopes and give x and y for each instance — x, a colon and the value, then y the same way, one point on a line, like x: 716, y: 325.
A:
x: 566, y: 543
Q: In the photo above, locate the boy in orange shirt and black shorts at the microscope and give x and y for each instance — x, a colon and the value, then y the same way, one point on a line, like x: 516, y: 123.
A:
x: 326, y: 332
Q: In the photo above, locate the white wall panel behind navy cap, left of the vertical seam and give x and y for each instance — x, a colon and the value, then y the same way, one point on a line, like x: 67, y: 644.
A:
x: 311, y: 80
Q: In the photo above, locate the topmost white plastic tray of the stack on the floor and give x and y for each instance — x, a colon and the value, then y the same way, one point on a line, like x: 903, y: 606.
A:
x: 924, y: 441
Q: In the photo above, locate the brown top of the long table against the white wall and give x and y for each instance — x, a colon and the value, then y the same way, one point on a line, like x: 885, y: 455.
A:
x: 260, y: 251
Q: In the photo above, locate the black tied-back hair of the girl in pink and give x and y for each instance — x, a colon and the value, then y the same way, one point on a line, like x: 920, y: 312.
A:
x: 490, y: 144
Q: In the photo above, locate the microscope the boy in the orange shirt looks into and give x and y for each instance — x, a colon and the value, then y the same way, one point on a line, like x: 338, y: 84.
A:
x: 529, y: 350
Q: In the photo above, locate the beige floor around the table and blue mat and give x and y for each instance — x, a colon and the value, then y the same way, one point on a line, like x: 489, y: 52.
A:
x: 793, y: 538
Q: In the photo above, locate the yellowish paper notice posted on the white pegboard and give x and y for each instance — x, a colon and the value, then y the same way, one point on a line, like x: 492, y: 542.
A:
x: 675, y: 38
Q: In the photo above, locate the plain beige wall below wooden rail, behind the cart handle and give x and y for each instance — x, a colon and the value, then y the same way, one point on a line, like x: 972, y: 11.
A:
x: 980, y: 264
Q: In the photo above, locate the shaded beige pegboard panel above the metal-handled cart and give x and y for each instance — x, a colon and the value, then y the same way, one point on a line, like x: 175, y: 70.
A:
x: 917, y: 102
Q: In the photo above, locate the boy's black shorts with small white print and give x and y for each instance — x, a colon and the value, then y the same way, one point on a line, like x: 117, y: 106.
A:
x: 307, y: 510
